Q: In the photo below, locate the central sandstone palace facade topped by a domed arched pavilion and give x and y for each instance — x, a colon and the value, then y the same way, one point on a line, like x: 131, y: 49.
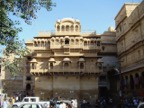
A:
x: 67, y: 63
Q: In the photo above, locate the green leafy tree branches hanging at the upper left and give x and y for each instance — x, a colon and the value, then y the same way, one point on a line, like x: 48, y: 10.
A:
x: 26, y: 10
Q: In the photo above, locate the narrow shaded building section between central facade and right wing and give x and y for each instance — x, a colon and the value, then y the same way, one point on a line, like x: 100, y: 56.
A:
x: 108, y: 78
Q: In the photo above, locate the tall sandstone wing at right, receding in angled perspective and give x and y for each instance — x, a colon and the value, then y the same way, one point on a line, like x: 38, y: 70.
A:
x: 130, y: 46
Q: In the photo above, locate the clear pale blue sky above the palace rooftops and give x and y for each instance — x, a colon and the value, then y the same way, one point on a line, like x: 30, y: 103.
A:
x: 93, y: 15
